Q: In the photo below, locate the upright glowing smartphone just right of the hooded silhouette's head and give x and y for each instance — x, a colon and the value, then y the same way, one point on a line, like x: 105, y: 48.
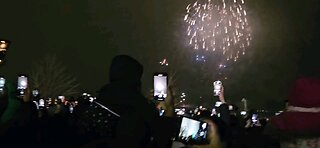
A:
x: 160, y: 82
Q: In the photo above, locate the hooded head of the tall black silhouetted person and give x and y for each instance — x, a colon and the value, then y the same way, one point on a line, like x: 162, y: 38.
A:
x: 126, y: 70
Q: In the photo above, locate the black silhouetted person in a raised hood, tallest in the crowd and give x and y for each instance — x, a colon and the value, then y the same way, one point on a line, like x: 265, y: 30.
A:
x: 140, y: 124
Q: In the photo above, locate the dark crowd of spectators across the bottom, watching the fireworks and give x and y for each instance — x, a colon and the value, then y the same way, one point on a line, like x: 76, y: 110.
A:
x: 122, y: 116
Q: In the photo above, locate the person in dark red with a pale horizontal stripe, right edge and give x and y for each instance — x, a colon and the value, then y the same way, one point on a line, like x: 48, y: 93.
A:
x: 299, y: 125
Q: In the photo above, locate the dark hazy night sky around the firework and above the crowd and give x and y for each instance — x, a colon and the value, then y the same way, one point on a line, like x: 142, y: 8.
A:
x: 85, y: 35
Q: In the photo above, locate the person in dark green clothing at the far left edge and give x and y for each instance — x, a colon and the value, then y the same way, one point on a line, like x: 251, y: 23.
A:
x: 18, y: 121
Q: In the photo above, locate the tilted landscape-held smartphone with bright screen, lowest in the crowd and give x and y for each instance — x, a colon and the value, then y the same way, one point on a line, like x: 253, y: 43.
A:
x: 193, y: 131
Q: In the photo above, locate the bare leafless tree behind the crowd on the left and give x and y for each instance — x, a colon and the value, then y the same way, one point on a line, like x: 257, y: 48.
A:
x: 52, y: 79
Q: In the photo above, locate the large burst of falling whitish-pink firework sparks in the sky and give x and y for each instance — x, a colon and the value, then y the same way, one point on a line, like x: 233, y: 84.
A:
x: 220, y: 26
